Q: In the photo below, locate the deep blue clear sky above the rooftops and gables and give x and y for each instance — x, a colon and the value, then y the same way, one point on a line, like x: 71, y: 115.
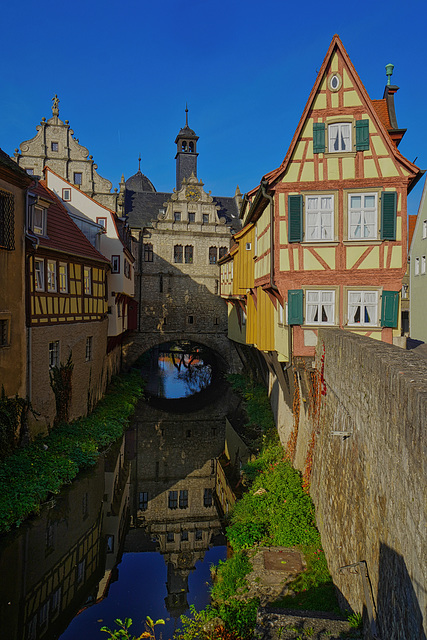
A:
x: 124, y: 71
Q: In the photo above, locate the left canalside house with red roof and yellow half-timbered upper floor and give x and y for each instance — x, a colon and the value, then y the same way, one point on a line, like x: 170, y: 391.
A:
x: 66, y: 308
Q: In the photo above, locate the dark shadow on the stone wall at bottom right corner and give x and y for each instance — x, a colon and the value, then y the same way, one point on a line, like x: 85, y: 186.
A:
x: 399, y: 613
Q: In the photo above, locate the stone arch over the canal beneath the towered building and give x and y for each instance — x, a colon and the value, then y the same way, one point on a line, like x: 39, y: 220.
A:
x: 138, y: 343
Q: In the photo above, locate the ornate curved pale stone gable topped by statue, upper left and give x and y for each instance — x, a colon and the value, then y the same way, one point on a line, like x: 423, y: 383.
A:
x: 55, y: 146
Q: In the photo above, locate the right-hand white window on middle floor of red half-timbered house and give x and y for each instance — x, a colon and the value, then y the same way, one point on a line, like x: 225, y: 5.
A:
x: 362, y: 216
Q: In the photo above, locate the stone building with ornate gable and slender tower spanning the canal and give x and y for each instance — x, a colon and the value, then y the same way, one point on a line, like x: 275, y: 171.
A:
x: 182, y: 236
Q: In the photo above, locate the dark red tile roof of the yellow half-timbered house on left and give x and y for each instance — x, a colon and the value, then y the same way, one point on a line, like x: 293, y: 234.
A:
x: 62, y: 233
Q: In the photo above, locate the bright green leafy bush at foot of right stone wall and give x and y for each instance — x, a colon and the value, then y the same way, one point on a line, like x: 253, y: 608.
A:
x: 281, y: 513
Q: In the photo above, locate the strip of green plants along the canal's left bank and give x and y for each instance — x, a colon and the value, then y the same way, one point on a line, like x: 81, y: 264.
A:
x: 29, y: 475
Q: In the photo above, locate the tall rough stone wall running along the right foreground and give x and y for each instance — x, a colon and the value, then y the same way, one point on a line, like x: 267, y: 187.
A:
x: 370, y: 488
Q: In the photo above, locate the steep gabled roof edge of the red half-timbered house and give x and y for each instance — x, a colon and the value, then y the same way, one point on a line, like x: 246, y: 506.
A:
x: 275, y: 175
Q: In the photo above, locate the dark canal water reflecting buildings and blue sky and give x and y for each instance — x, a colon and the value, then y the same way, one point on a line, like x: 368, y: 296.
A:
x: 135, y: 536
